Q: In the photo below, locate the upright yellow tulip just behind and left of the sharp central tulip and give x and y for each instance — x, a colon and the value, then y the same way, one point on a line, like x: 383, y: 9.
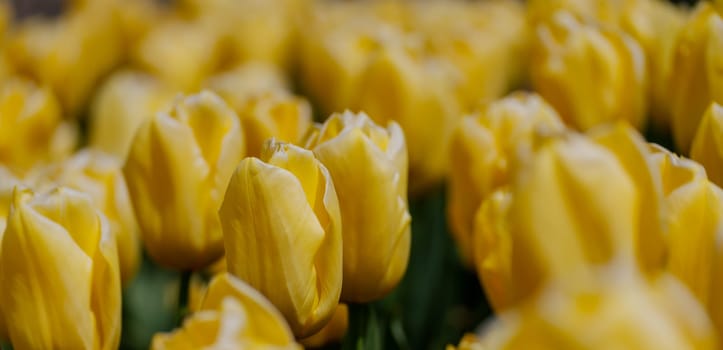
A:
x: 177, y: 171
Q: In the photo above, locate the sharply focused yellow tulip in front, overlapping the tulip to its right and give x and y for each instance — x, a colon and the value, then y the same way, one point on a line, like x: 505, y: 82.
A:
x: 282, y: 232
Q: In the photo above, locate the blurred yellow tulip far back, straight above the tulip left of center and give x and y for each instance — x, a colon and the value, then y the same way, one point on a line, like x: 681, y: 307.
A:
x: 181, y: 53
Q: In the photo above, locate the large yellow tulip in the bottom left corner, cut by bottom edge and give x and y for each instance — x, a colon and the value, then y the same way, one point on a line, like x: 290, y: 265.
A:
x: 59, y: 271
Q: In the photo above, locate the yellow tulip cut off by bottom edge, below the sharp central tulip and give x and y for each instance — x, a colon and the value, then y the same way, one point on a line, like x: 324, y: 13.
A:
x: 233, y: 316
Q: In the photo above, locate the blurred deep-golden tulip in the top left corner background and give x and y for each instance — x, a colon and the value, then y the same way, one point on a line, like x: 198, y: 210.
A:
x: 69, y: 54
